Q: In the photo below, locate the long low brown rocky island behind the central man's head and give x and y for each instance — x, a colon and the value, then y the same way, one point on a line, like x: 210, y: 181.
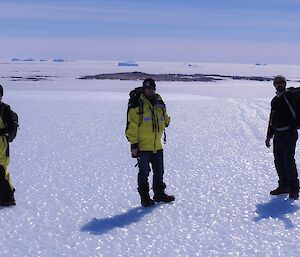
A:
x: 171, y: 77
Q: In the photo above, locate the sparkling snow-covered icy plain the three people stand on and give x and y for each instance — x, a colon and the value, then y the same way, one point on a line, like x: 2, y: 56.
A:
x: 76, y: 183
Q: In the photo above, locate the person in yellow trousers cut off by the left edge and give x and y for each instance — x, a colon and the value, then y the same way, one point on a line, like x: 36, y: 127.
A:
x: 6, y: 125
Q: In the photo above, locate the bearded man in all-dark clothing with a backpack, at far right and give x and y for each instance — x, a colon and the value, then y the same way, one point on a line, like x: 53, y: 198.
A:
x: 283, y: 127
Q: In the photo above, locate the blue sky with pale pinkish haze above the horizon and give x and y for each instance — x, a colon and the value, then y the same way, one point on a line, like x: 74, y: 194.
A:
x: 245, y: 31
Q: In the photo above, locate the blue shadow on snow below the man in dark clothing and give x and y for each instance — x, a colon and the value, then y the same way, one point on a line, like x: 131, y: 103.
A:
x: 277, y: 208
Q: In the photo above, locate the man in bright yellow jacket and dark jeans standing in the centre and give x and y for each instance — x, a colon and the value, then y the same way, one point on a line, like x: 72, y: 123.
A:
x: 146, y: 122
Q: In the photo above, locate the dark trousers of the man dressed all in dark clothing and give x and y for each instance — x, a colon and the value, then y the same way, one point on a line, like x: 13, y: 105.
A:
x: 284, y: 153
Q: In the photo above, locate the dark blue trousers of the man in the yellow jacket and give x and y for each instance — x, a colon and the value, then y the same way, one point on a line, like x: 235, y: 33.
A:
x: 157, y: 163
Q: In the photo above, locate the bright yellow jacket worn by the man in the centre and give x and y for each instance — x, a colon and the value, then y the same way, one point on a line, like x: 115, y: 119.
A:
x: 146, y: 129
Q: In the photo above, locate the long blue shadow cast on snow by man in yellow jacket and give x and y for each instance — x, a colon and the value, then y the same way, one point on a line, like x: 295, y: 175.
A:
x: 102, y: 226
